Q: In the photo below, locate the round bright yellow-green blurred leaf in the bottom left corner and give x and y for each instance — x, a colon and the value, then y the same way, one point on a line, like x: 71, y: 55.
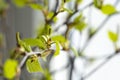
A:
x: 10, y: 68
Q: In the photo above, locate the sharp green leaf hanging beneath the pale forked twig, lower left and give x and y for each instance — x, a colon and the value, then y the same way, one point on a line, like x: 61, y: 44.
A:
x: 33, y: 65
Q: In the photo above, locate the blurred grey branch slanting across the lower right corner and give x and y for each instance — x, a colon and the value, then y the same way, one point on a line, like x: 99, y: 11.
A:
x: 99, y: 66
